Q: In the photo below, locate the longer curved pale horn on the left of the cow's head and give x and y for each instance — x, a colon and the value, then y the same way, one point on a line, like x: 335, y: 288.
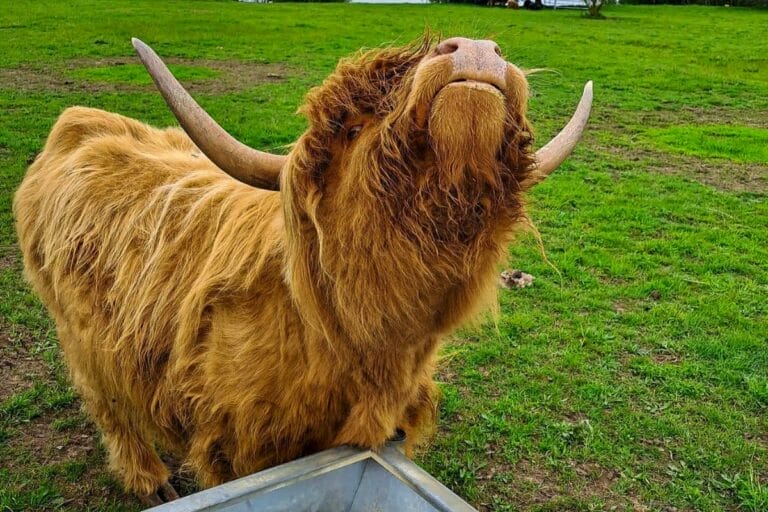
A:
x: 246, y: 164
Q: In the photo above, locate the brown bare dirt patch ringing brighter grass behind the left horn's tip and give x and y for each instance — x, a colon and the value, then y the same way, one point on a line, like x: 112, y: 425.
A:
x: 236, y: 75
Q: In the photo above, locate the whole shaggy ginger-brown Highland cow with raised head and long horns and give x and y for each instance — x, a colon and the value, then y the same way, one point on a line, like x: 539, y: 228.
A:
x: 241, y: 323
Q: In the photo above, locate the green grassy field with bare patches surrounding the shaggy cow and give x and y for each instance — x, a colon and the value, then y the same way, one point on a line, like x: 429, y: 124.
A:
x: 633, y: 374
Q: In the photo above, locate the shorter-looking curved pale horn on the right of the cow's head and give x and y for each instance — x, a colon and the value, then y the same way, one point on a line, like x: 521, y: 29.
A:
x: 558, y: 149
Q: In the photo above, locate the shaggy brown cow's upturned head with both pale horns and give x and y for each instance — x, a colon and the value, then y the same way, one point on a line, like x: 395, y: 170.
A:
x: 430, y: 134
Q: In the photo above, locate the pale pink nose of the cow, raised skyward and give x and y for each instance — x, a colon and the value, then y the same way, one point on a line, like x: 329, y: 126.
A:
x: 475, y: 60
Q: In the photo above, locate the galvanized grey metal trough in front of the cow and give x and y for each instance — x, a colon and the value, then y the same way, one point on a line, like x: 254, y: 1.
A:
x: 337, y: 480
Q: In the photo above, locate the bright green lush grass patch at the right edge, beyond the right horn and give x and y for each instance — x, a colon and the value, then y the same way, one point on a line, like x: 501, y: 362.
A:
x: 737, y: 143
